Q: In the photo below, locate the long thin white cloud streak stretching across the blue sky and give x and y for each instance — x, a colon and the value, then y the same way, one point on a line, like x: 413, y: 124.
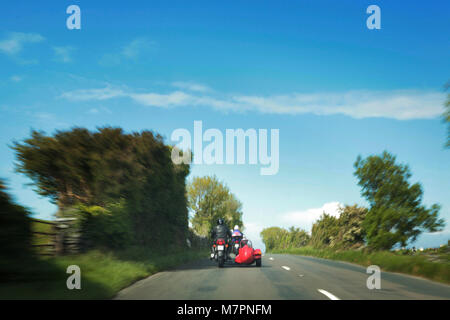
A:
x: 400, y: 105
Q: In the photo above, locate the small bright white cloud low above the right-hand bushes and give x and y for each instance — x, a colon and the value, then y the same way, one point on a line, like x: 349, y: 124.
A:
x: 305, y: 219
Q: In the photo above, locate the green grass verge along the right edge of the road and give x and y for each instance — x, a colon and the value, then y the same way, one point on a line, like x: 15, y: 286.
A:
x: 418, y: 265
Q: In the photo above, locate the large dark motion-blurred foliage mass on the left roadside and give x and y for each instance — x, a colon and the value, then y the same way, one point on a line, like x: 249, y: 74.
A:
x: 98, y: 168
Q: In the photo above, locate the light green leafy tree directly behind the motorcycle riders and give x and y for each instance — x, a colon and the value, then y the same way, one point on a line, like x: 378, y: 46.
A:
x: 209, y: 199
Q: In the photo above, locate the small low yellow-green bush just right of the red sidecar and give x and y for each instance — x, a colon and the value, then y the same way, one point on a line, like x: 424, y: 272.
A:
x: 278, y: 238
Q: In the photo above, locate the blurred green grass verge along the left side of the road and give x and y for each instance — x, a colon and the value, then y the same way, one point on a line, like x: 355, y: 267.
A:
x: 103, y: 274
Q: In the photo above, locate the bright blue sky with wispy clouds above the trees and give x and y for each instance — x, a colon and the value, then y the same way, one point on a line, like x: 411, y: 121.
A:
x: 311, y: 69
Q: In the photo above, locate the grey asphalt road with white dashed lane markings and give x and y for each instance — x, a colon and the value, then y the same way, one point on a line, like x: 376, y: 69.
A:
x: 280, y: 277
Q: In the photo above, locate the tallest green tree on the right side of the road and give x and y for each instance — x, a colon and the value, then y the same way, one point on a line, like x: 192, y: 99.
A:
x: 396, y: 214
